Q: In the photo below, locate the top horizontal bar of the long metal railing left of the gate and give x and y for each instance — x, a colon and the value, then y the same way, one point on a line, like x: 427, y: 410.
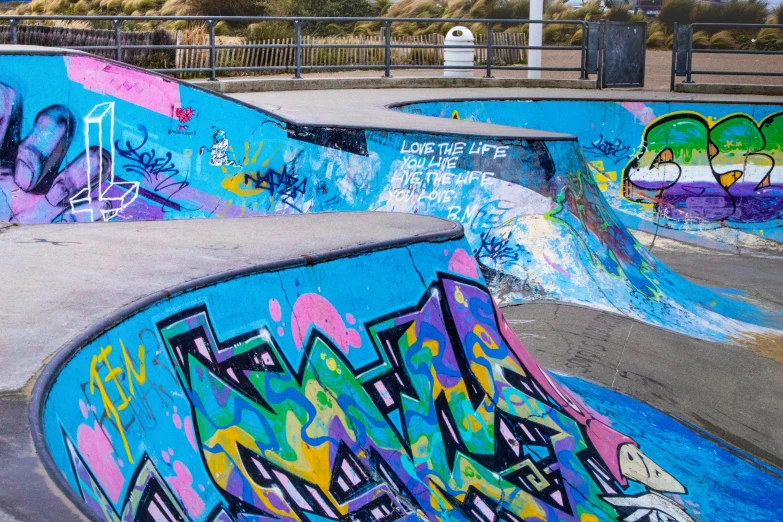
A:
x: 293, y: 19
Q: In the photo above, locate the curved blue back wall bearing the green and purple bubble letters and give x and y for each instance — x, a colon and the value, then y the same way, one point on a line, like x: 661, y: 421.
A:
x: 707, y: 173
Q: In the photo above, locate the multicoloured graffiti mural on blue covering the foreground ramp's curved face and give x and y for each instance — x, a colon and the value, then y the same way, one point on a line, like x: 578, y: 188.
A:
x: 306, y: 395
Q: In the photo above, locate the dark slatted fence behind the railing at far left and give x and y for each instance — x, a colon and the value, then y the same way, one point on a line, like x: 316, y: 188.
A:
x: 51, y: 36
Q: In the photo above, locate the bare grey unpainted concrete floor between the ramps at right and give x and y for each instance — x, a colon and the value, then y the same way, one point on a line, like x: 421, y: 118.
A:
x: 732, y: 392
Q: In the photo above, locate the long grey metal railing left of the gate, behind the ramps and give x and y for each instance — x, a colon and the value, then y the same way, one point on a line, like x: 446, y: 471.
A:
x: 297, y: 22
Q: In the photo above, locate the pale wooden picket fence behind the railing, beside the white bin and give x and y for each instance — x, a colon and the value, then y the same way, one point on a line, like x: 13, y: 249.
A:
x: 283, y: 58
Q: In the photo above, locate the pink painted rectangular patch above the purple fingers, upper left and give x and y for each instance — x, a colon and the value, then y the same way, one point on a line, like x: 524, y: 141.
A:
x: 151, y: 92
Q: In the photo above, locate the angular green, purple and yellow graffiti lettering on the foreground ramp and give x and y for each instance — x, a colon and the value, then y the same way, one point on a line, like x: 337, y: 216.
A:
x: 447, y: 415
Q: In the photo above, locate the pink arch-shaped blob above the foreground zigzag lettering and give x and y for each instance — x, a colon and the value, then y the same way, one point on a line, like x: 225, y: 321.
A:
x: 312, y: 309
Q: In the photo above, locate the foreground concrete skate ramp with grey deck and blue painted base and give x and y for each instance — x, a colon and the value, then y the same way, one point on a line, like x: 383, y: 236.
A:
x: 361, y: 372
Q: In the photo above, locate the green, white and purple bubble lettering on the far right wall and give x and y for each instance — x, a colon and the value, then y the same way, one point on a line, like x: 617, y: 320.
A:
x: 692, y: 167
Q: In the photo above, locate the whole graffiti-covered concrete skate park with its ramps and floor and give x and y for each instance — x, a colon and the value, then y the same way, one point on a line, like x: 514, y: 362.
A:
x: 668, y: 364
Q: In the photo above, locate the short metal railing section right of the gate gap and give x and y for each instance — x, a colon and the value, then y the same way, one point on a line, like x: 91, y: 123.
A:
x: 683, y: 51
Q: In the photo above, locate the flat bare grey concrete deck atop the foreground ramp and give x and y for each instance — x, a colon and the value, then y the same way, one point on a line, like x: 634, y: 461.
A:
x: 65, y: 285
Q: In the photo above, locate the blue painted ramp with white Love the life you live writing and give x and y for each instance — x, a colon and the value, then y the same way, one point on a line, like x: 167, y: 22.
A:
x: 112, y: 143
